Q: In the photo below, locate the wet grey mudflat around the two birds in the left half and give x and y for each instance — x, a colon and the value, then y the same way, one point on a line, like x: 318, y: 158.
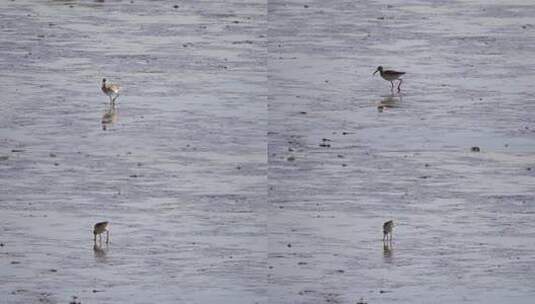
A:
x: 179, y: 171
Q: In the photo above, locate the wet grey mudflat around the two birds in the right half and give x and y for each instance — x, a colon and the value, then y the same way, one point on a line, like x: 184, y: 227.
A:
x: 345, y: 155
